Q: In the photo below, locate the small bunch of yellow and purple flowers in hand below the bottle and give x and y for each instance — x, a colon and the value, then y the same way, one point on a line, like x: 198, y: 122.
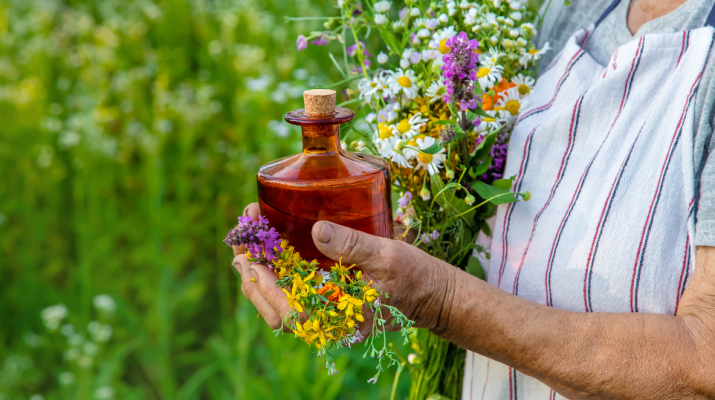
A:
x: 330, y: 303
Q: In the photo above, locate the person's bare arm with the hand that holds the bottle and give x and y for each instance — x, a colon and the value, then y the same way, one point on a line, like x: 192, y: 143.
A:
x: 580, y: 355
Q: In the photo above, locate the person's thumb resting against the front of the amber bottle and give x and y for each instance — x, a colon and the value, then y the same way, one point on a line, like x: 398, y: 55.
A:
x: 353, y: 246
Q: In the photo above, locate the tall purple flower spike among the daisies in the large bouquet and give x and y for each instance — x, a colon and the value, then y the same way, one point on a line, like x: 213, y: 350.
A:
x: 460, y: 71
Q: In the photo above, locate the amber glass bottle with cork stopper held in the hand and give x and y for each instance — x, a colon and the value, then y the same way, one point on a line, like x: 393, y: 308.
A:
x: 324, y: 182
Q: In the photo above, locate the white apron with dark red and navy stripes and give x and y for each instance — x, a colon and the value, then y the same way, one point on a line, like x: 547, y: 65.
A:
x: 607, y: 154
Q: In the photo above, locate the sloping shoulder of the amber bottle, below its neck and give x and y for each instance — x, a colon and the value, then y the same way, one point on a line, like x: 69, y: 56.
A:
x: 323, y: 167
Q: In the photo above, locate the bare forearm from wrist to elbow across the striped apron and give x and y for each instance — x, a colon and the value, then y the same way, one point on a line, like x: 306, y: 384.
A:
x: 594, y: 355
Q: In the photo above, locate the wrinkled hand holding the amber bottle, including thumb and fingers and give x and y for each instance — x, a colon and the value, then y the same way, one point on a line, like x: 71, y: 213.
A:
x: 417, y: 283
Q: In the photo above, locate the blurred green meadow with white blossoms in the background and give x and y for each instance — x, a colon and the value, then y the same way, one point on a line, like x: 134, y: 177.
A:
x: 130, y: 135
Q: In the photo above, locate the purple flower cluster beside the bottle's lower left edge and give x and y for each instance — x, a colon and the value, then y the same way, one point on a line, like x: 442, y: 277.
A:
x: 263, y: 243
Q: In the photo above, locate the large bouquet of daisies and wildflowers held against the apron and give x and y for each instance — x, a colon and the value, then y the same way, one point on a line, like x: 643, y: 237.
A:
x: 449, y: 82
